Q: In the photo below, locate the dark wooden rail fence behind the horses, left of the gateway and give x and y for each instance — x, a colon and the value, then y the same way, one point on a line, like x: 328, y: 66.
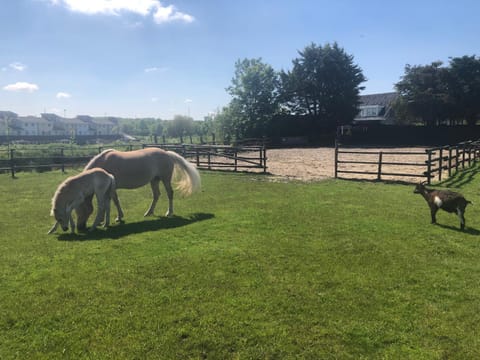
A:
x: 211, y: 157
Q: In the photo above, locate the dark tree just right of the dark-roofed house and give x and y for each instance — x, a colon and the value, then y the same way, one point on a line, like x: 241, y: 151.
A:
x: 424, y: 90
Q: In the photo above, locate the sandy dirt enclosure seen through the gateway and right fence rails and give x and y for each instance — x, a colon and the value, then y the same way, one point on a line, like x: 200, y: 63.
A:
x: 315, y: 164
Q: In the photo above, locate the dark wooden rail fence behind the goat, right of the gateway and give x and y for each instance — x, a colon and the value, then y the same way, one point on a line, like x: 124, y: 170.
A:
x: 428, y: 164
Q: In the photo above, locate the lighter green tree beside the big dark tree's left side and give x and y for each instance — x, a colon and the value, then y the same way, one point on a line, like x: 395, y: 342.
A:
x: 254, y: 92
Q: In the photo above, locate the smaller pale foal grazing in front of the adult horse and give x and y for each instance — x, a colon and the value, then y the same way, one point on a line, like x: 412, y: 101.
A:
x: 74, y: 190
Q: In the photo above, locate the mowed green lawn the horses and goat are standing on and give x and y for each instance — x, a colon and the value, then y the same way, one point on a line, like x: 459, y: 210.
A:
x: 248, y: 269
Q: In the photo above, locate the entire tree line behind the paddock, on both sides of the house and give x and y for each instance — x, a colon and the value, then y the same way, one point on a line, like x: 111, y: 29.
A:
x: 323, y: 86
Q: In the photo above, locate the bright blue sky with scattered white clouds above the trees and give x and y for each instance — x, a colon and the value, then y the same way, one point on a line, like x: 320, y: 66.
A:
x: 151, y: 58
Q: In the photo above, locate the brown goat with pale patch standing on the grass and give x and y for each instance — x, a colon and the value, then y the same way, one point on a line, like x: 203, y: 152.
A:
x: 446, y: 200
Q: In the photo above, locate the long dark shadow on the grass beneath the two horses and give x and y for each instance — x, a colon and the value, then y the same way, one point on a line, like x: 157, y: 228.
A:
x: 123, y: 229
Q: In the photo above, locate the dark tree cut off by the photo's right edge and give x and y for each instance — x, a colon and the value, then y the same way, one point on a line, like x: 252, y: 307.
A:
x: 464, y: 87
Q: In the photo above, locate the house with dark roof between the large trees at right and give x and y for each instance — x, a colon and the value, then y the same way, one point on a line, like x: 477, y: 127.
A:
x: 376, y: 109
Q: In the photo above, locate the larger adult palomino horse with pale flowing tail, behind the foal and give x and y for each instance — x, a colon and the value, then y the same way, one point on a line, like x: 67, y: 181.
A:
x: 133, y: 169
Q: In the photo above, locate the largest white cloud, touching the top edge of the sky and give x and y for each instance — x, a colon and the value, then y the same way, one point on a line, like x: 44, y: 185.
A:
x: 161, y: 14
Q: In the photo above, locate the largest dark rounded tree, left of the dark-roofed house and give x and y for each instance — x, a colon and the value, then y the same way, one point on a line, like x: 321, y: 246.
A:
x: 323, y: 82
